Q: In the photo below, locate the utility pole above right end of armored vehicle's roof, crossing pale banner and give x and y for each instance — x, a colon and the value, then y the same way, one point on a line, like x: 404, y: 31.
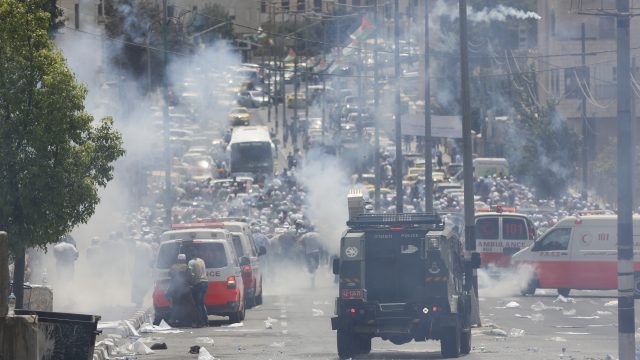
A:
x: 428, y: 168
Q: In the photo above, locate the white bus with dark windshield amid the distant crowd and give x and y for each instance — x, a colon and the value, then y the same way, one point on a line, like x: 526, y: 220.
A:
x: 251, y: 151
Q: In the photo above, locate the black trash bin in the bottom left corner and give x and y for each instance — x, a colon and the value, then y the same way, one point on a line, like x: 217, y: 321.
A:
x: 73, y: 336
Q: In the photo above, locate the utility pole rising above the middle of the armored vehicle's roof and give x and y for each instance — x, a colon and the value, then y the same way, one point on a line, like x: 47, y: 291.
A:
x: 396, y: 55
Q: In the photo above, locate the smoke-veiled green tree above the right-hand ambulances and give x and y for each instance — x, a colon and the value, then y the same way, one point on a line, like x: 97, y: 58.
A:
x: 542, y: 146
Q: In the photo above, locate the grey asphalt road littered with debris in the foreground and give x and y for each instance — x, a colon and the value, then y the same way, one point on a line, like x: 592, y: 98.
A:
x: 294, y: 323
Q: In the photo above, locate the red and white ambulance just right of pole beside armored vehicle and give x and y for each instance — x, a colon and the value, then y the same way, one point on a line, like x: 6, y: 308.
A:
x: 500, y: 233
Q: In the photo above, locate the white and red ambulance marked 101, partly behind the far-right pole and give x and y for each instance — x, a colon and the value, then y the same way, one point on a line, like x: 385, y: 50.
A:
x: 579, y: 252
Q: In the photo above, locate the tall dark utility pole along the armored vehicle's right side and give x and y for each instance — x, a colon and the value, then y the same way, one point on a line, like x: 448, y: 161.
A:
x: 469, y: 211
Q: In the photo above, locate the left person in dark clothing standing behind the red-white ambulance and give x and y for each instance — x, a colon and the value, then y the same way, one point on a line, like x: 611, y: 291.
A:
x: 179, y: 294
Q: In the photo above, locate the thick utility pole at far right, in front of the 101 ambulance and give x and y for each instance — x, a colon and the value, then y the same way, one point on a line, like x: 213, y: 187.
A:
x: 626, y: 283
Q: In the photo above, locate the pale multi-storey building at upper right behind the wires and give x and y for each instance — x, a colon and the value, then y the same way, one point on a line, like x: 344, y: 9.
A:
x: 561, y: 75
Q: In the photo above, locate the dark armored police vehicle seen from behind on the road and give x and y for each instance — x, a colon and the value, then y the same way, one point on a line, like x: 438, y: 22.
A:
x: 402, y: 278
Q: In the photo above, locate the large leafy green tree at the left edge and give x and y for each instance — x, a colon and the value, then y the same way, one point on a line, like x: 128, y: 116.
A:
x: 53, y: 155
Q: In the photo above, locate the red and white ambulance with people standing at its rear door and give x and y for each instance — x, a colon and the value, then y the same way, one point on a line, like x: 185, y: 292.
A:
x: 225, y: 294
